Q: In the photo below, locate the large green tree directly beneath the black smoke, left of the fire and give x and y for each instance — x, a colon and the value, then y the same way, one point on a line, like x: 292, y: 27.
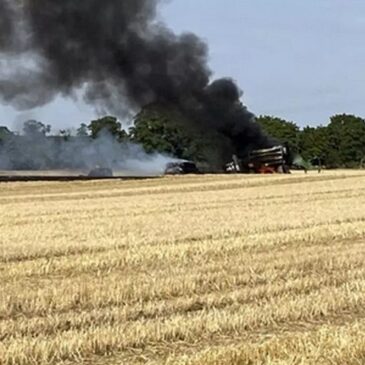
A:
x: 163, y: 128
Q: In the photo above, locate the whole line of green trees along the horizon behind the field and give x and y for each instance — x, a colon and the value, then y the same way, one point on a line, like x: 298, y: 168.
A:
x: 341, y: 143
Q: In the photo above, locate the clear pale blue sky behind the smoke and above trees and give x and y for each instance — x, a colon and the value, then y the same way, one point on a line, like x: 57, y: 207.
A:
x: 301, y: 60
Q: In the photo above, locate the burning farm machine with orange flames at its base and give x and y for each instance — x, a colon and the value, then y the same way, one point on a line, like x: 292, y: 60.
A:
x: 263, y: 161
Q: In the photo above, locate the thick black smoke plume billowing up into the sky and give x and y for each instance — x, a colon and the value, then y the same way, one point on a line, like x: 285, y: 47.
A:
x: 122, y: 58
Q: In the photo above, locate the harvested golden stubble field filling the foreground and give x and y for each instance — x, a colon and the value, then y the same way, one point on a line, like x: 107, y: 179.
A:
x: 201, y: 270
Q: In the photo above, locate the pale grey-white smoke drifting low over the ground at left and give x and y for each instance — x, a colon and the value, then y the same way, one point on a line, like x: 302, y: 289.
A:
x: 38, y: 152
